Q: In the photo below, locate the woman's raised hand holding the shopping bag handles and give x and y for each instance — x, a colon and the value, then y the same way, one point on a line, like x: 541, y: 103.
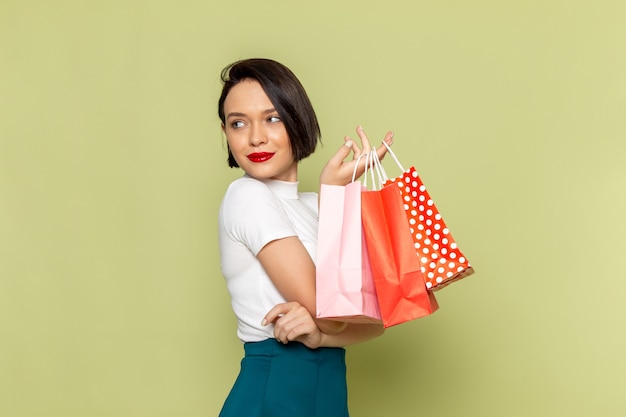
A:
x: 338, y: 171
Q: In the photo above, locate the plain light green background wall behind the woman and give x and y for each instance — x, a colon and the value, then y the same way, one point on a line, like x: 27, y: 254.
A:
x: 112, y: 167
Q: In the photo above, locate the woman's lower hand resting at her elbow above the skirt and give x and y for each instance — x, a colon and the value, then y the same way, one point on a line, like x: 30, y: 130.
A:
x: 292, y: 321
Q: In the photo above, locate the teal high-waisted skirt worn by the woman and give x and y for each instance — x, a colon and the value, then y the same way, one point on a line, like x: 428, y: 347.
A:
x: 289, y: 380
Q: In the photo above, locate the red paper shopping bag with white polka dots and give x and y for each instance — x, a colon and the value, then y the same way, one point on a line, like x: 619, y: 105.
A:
x: 441, y: 260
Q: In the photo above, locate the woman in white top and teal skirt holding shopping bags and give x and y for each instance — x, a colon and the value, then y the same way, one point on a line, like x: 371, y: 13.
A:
x: 294, y: 364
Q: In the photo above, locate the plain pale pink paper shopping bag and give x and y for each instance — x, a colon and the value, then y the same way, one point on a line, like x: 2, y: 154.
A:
x: 344, y: 284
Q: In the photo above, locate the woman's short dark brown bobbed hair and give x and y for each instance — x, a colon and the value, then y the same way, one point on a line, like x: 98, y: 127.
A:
x: 286, y: 94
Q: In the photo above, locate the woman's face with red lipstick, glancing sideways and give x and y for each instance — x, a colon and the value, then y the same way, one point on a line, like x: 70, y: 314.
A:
x: 256, y: 135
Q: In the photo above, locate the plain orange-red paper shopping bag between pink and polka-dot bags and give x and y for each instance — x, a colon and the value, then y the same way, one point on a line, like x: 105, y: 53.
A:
x: 400, y: 285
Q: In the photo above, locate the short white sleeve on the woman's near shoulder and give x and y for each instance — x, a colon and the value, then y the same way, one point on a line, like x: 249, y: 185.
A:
x: 252, y: 215
